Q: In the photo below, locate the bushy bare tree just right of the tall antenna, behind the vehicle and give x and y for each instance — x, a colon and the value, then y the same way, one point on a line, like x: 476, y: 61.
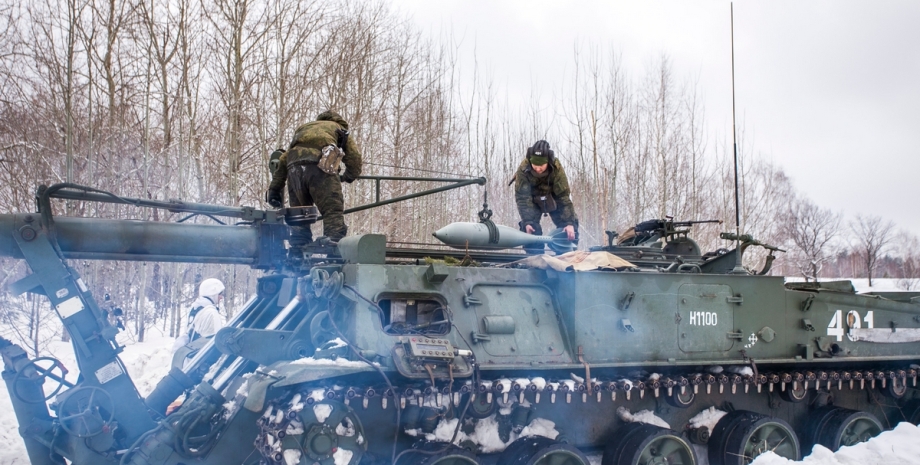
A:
x: 812, y: 230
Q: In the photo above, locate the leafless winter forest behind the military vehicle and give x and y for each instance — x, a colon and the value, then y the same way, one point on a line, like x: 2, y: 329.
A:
x: 186, y: 99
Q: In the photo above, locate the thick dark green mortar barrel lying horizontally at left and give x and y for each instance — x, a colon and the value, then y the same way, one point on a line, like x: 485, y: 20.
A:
x: 105, y: 239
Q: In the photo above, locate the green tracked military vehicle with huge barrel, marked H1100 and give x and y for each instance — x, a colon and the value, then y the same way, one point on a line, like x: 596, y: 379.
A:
x: 367, y: 353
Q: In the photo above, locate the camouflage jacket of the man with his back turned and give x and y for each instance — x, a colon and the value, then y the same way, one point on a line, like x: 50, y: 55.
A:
x: 309, y: 140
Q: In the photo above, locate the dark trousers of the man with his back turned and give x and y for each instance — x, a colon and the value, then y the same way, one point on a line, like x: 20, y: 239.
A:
x: 308, y: 185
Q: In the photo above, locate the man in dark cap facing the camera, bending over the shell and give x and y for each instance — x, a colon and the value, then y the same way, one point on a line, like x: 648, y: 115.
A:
x: 541, y: 188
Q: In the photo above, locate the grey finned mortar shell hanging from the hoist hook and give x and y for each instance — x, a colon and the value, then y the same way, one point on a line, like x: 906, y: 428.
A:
x: 476, y: 235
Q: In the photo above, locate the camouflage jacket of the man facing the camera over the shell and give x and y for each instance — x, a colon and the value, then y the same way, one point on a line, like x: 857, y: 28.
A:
x: 527, y: 185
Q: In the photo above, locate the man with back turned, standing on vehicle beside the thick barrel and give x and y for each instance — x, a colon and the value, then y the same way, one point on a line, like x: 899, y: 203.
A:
x: 308, y: 184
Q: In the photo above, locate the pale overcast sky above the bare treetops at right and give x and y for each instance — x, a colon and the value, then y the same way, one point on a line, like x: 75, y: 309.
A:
x: 829, y: 90
